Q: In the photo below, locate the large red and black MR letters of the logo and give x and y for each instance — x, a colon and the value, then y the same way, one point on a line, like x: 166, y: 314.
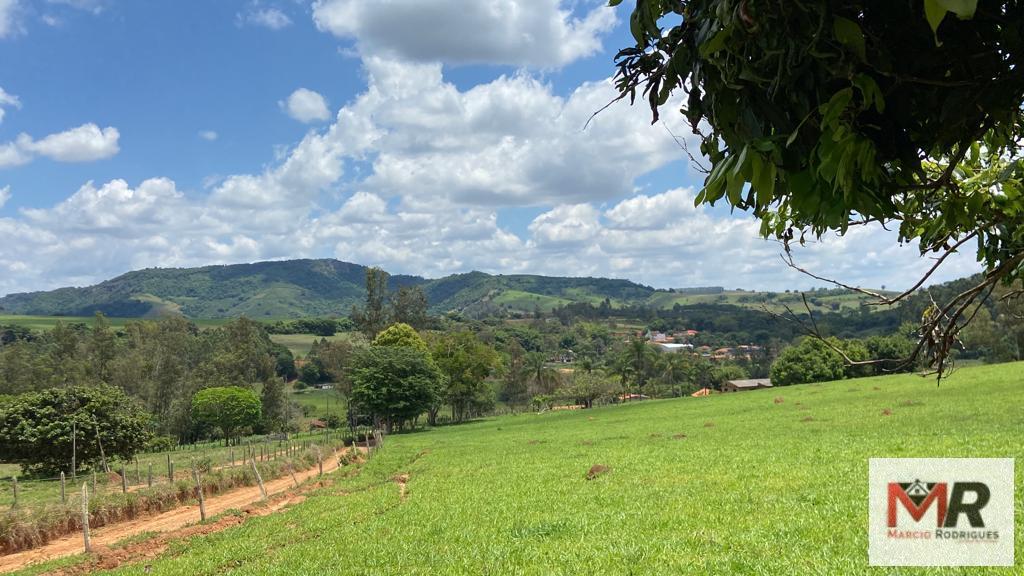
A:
x: 918, y: 498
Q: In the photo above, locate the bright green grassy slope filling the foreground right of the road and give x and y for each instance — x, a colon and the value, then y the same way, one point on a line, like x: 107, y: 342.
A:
x: 755, y: 488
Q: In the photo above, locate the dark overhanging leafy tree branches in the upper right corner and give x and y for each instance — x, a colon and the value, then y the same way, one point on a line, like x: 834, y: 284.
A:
x: 821, y: 116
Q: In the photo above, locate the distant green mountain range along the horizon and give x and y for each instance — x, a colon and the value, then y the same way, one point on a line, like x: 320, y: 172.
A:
x: 328, y: 287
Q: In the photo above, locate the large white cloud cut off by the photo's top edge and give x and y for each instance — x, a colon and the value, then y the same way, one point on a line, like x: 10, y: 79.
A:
x: 534, y: 33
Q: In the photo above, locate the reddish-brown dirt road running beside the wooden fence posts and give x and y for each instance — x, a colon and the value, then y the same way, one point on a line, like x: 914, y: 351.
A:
x: 162, y: 523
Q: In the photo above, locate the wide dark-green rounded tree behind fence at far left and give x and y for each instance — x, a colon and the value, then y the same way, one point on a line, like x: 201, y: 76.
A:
x: 36, y: 429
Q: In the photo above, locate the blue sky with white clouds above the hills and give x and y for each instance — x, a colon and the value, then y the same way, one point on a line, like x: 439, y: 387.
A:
x: 426, y: 137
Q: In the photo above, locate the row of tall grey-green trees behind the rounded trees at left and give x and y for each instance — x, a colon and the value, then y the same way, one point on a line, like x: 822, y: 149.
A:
x: 162, y: 364
